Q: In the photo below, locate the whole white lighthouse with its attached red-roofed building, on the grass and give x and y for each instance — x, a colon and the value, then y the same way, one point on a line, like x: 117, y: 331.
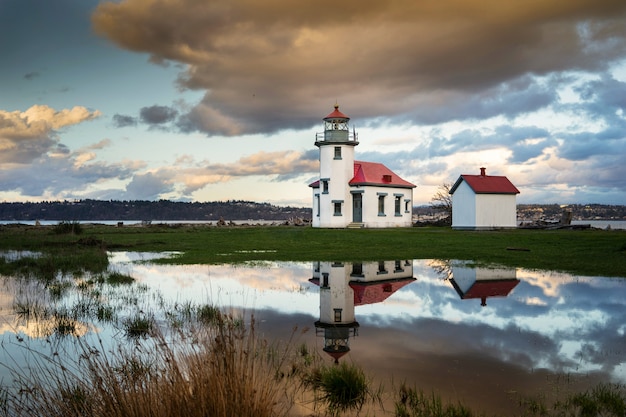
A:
x: 353, y: 193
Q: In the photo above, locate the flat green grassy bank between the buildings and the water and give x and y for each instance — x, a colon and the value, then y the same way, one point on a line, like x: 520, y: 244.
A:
x: 585, y: 252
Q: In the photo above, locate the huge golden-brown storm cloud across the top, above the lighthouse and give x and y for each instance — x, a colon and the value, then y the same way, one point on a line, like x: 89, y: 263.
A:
x: 268, y: 66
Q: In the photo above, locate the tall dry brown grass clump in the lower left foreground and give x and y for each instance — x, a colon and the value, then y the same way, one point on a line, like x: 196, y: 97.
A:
x: 222, y: 370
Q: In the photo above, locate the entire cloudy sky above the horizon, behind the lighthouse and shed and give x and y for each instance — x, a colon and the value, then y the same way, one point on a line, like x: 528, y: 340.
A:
x: 206, y: 100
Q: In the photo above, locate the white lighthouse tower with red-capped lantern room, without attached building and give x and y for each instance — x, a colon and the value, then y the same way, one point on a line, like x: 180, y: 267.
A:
x: 332, y: 201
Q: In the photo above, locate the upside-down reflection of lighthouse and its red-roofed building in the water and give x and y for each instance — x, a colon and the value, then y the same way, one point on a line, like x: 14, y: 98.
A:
x: 346, y: 285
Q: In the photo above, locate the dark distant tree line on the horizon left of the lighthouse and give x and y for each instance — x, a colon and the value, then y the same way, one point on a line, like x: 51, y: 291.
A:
x: 149, y: 210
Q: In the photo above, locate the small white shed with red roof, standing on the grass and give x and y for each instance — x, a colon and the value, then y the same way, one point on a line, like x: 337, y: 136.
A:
x: 483, y: 202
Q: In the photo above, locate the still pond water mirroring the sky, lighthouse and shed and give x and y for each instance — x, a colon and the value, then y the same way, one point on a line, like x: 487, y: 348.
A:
x: 482, y: 336
